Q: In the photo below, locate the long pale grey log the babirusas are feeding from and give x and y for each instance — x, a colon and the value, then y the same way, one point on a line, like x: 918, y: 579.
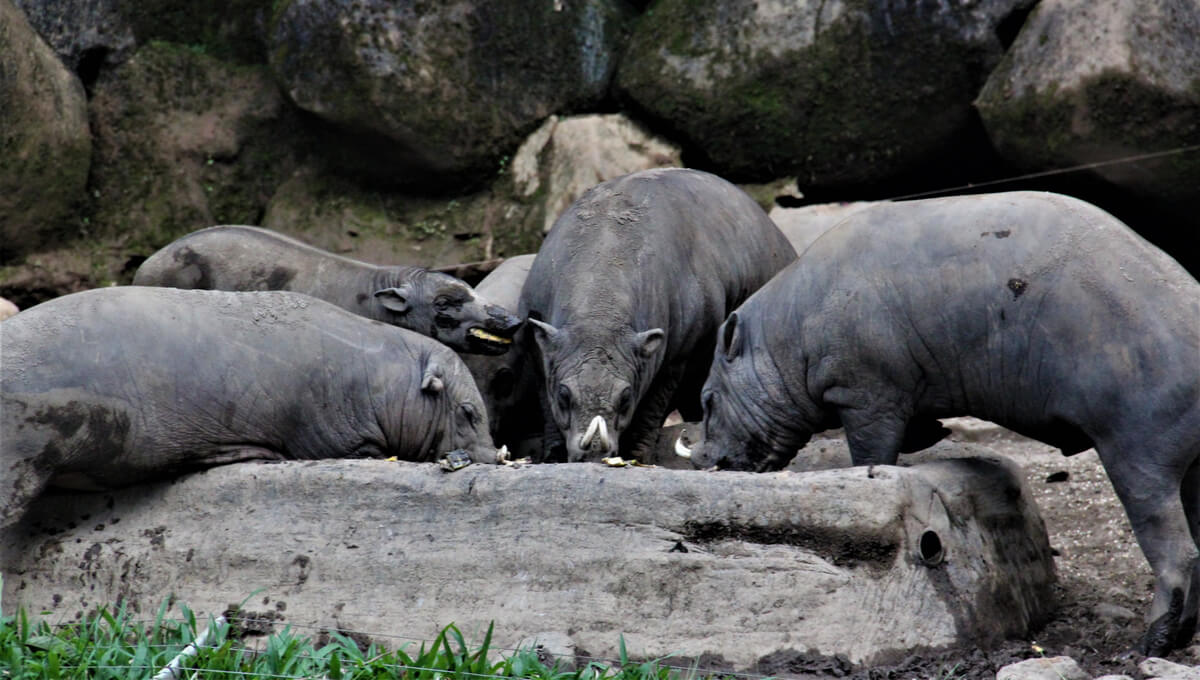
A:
x: 865, y: 563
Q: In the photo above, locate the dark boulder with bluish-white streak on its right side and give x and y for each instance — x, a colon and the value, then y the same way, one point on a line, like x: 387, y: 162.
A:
x: 443, y: 88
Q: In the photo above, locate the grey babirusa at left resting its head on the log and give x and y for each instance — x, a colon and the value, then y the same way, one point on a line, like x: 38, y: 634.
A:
x: 117, y: 386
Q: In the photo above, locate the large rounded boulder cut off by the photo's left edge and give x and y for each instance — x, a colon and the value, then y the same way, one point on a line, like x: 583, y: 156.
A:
x: 44, y: 140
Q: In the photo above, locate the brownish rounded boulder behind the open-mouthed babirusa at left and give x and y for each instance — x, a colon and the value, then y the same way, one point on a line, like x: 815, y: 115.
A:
x: 185, y: 141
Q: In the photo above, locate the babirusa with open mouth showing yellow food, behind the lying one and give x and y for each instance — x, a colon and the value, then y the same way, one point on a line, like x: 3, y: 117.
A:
x: 251, y: 258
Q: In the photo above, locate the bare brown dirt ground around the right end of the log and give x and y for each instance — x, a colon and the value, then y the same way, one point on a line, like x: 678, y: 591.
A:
x: 1105, y: 583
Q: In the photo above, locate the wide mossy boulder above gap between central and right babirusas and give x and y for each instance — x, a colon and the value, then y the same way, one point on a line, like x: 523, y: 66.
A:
x: 837, y: 93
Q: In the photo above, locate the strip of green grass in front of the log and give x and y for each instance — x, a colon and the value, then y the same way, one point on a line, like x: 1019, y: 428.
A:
x: 115, y: 646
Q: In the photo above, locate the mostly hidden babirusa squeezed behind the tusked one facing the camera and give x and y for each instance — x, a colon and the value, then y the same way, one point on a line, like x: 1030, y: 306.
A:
x: 506, y: 381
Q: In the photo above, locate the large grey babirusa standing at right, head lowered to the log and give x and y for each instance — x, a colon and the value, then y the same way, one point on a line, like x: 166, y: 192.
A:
x: 1035, y: 311
